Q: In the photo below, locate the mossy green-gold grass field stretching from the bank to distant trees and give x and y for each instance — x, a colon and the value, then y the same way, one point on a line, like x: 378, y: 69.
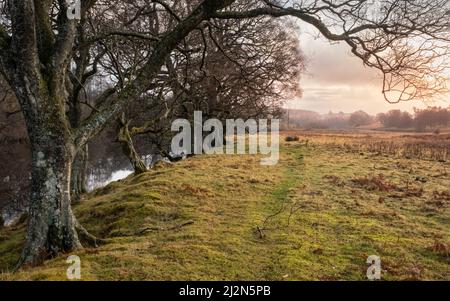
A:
x: 333, y: 200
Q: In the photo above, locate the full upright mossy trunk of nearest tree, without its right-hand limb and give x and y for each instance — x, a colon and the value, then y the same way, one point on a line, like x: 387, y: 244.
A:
x: 38, y: 74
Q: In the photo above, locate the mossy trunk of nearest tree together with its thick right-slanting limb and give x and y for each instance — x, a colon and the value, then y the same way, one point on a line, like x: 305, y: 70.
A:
x: 35, y: 58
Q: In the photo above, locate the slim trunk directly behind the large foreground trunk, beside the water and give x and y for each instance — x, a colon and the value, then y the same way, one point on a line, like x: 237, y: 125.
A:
x: 79, y: 174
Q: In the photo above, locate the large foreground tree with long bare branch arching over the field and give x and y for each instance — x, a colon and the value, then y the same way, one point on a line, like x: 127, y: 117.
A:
x: 406, y: 40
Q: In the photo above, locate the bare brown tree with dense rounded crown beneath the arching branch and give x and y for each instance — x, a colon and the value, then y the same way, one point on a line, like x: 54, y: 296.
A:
x: 224, y: 78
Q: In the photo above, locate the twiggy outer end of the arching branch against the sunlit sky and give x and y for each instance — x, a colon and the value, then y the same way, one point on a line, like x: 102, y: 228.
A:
x: 407, y: 41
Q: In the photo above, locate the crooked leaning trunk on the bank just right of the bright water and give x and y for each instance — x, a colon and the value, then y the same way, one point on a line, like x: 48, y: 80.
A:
x: 128, y: 149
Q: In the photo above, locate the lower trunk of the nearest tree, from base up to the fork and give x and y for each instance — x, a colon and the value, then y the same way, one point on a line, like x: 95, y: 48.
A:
x: 51, y: 225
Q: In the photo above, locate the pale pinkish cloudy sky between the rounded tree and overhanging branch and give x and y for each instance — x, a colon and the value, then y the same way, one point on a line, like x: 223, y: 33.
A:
x: 335, y: 80
